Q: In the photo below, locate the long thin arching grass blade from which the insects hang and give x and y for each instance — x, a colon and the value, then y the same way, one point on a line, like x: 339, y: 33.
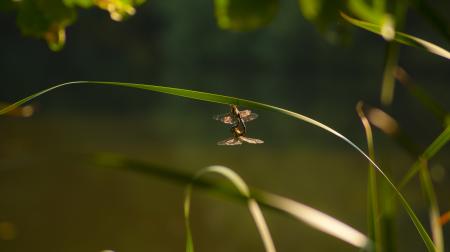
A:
x: 222, y: 99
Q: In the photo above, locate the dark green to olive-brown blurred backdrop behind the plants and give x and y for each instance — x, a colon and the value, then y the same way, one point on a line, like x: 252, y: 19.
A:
x: 55, y: 199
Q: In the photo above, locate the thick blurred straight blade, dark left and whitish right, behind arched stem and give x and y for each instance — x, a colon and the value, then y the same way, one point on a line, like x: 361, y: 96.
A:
x: 308, y: 215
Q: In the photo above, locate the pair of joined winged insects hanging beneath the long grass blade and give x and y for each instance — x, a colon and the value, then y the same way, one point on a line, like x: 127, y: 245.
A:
x: 237, y: 119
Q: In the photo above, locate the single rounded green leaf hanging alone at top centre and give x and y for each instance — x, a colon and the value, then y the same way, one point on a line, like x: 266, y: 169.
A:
x: 244, y: 15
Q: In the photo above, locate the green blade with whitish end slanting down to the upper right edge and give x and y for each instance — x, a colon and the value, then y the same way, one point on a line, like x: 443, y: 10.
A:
x: 400, y: 37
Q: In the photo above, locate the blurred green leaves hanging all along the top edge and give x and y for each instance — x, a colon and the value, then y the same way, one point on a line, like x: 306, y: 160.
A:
x: 48, y: 19
